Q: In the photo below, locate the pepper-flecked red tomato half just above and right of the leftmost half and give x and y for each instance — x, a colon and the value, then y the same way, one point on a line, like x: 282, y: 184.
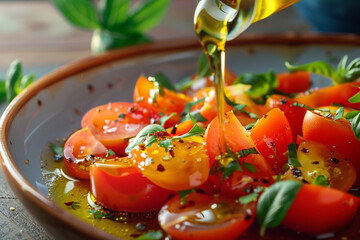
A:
x: 114, y: 123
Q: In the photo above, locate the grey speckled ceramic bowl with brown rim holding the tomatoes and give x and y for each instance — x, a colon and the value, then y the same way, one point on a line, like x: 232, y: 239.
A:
x: 53, y: 106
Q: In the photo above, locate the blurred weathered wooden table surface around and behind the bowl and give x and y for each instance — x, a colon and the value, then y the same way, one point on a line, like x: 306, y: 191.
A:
x: 35, y: 33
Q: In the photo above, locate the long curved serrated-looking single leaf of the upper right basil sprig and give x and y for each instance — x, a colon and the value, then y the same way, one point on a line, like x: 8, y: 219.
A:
x: 317, y: 67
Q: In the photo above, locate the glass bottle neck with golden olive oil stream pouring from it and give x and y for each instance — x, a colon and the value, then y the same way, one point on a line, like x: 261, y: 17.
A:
x: 216, y: 22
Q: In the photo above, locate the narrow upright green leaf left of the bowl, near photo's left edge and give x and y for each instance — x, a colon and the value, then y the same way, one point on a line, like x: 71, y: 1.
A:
x: 13, y: 78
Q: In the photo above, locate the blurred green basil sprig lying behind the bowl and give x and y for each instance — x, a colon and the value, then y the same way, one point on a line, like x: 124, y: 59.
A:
x: 115, y: 23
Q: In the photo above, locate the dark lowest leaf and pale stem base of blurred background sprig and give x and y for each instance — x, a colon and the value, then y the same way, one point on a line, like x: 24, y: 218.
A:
x: 104, y: 40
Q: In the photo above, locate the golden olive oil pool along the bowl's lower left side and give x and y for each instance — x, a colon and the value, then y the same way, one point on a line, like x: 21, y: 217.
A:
x: 65, y: 190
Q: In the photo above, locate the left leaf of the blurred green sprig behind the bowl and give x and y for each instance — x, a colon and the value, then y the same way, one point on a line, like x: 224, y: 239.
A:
x: 81, y: 13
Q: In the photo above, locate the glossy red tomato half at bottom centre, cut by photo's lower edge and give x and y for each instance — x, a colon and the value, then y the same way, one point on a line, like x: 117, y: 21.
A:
x: 205, y: 217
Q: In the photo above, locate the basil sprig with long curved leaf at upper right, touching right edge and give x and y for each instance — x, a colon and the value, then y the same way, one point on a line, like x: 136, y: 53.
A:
x: 343, y: 73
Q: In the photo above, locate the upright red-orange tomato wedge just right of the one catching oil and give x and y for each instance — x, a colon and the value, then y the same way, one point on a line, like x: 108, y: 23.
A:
x: 272, y: 135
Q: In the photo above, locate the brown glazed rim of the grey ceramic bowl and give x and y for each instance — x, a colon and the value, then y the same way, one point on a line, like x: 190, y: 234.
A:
x: 21, y: 185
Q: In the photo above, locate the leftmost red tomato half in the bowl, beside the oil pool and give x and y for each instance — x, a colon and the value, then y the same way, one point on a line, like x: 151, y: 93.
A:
x: 81, y: 150
